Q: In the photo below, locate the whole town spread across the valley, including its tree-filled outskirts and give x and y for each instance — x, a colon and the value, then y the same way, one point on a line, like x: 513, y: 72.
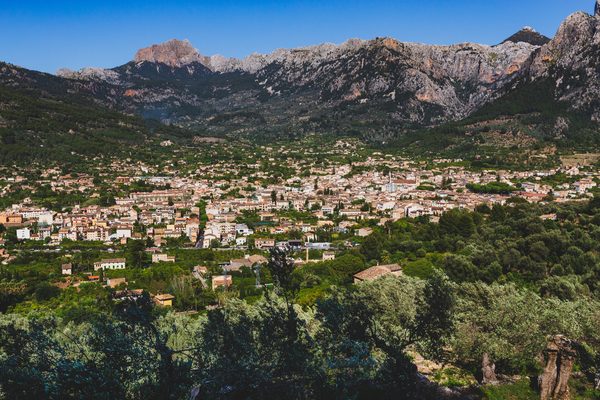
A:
x: 244, y: 209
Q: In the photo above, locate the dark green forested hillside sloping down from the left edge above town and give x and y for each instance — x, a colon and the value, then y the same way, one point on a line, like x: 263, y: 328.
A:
x: 46, y: 120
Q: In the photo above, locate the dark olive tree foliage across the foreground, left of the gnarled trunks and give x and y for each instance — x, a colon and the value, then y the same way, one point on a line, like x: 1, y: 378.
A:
x: 270, y: 349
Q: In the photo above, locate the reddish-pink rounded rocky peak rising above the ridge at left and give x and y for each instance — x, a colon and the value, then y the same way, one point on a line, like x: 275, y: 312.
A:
x: 175, y: 53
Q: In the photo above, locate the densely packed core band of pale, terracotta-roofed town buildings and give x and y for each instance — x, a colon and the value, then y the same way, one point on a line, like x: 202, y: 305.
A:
x: 328, y: 194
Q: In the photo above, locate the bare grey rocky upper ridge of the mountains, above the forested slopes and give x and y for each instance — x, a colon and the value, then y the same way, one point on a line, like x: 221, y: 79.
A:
x: 429, y: 85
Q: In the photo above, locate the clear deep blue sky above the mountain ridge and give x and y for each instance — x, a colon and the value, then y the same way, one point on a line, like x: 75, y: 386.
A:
x: 47, y: 35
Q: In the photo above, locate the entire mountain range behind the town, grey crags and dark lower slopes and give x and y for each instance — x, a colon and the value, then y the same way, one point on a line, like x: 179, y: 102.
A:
x: 379, y: 89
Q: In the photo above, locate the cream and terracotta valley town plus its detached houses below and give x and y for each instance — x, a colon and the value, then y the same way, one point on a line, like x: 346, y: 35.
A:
x: 324, y: 210
